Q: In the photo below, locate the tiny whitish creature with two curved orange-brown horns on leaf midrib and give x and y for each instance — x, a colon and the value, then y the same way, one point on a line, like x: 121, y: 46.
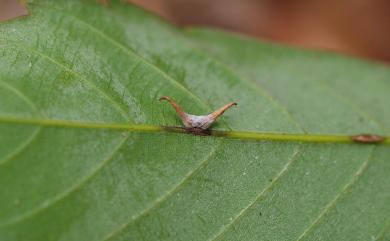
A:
x: 196, y: 123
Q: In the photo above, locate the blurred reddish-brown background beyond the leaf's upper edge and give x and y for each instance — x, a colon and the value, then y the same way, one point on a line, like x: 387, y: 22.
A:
x: 358, y: 27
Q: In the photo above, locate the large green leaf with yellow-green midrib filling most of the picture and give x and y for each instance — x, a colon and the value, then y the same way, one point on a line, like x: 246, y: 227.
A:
x: 83, y: 155
